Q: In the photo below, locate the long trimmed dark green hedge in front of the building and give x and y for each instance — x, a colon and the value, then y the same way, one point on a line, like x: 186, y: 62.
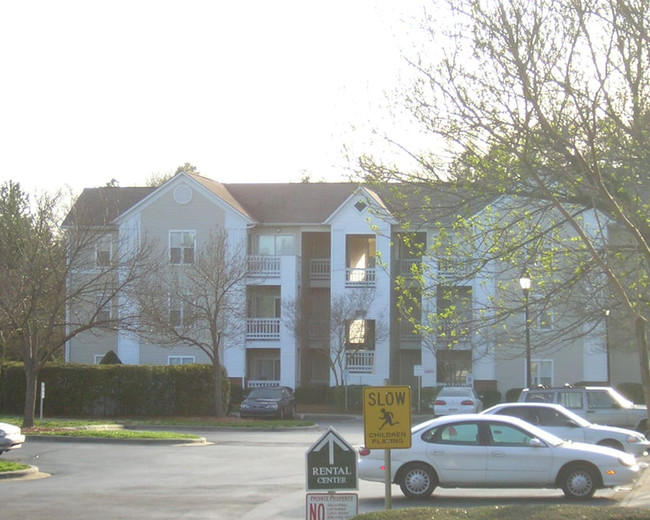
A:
x: 116, y: 390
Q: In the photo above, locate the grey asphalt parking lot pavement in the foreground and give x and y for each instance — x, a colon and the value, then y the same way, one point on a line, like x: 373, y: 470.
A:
x: 245, y: 475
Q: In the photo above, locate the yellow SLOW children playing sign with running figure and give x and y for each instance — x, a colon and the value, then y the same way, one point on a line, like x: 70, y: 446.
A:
x: 387, y: 417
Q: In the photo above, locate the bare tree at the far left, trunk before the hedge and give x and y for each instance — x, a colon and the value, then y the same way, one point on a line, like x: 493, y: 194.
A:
x: 53, y: 284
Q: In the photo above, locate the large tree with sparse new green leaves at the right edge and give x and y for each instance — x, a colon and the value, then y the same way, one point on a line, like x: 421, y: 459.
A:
x: 543, y: 104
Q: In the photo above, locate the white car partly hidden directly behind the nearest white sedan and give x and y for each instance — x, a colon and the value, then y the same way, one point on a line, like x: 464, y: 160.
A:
x: 563, y: 423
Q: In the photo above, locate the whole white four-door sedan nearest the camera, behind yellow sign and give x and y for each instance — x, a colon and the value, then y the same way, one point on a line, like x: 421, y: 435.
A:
x: 496, y: 451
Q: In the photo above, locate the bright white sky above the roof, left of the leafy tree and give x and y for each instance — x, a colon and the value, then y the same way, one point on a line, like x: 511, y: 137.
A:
x: 250, y: 91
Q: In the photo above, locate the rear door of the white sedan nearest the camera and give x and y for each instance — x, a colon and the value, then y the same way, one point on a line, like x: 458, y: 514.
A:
x: 456, y: 453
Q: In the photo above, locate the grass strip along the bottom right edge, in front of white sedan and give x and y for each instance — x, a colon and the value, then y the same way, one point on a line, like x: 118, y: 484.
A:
x: 524, y: 512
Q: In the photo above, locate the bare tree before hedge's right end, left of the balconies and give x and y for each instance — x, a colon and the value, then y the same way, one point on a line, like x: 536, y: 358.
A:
x: 198, y: 304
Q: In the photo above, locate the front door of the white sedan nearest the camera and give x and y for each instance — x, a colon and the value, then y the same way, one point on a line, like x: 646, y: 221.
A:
x: 513, y: 461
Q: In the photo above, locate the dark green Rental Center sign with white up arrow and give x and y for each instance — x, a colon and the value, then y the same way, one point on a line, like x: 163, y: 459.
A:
x: 331, y: 464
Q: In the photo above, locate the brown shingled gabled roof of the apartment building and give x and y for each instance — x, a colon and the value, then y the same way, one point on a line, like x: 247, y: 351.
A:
x: 290, y: 203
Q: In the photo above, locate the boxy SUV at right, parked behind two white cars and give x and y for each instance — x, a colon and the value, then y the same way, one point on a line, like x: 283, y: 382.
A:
x: 597, y: 404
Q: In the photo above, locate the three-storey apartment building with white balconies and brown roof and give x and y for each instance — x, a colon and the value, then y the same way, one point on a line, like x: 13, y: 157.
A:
x: 321, y: 305
